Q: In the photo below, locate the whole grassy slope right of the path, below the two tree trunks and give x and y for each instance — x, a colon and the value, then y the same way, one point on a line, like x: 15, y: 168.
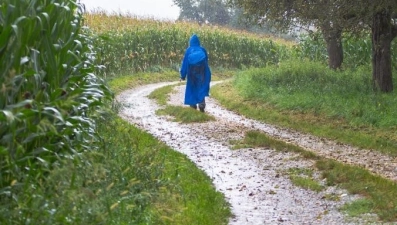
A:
x: 312, y: 99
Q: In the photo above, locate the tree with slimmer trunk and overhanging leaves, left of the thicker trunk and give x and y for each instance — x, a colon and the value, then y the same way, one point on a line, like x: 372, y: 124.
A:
x: 285, y: 14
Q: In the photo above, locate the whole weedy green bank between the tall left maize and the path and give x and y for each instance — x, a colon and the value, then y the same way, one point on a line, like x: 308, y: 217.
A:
x: 119, y: 184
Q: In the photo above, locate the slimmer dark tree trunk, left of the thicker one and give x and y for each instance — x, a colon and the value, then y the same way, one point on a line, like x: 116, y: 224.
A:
x: 333, y: 39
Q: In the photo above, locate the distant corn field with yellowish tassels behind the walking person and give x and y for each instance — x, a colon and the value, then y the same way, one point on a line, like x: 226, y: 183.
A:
x: 129, y: 45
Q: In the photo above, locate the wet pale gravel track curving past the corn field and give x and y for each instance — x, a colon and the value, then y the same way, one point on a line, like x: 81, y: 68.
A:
x: 253, y: 180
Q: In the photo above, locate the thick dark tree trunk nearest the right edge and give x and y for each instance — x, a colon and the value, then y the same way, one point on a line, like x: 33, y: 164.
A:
x: 382, y: 36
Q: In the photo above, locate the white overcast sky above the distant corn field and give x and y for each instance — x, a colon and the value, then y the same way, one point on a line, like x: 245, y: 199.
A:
x: 159, y: 9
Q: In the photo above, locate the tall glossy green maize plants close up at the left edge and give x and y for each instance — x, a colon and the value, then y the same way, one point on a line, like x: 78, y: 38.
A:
x: 49, y: 90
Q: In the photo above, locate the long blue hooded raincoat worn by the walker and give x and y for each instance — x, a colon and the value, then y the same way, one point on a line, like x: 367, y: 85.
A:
x: 195, y: 91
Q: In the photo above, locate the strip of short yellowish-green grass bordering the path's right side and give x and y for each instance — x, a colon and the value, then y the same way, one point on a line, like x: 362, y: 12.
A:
x: 318, y: 124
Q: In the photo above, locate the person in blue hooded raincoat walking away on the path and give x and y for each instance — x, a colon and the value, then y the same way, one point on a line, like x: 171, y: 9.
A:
x: 195, y: 67
